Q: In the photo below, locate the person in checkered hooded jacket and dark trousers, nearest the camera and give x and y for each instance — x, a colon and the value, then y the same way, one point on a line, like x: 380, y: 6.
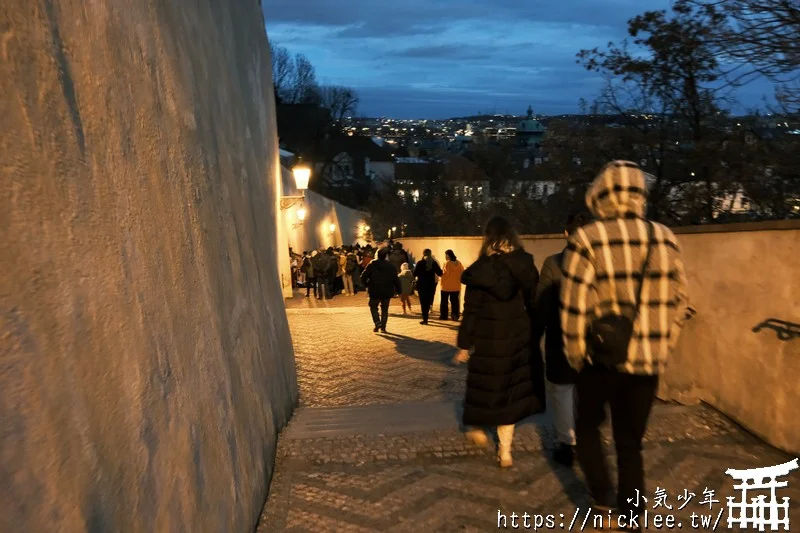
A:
x: 623, y: 278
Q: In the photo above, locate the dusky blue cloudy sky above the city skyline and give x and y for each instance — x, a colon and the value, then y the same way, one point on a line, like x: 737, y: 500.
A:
x: 439, y: 59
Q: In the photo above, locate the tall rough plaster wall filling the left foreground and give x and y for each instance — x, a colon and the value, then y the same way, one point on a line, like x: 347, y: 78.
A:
x: 145, y: 364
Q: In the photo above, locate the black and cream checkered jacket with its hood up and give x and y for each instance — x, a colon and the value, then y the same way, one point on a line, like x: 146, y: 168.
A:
x: 602, y: 270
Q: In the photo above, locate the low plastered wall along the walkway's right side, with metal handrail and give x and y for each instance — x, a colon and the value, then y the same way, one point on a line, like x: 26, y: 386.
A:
x: 740, y: 276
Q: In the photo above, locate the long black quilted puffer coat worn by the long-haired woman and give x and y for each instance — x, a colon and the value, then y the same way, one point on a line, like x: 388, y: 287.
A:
x: 505, y: 381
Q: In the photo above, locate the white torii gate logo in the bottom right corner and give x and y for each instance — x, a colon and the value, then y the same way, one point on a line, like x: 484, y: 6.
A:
x: 759, y: 512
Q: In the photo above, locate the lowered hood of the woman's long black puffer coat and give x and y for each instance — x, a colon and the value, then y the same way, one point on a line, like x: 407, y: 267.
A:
x: 501, y: 274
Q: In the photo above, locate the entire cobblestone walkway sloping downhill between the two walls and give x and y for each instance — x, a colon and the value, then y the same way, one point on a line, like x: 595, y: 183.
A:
x: 376, y: 444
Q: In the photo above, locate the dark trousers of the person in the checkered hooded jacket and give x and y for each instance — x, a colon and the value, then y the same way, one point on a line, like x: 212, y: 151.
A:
x: 630, y: 398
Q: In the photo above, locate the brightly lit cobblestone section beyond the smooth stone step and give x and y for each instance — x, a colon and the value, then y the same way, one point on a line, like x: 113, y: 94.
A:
x: 340, y: 361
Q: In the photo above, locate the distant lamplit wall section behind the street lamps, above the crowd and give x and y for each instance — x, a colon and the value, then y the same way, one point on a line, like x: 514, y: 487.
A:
x: 326, y: 223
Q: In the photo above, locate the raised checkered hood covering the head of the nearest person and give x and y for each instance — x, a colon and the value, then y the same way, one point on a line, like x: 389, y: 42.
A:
x: 618, y: 191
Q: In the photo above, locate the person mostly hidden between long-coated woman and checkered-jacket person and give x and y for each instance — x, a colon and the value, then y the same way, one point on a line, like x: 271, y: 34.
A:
x: 547, y: 323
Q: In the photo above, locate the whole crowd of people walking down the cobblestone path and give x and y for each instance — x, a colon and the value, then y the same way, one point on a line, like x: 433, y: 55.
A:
x: 609, y: 309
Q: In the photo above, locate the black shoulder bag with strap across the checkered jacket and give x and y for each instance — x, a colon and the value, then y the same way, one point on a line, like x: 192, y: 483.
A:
x: 608, y: 337
